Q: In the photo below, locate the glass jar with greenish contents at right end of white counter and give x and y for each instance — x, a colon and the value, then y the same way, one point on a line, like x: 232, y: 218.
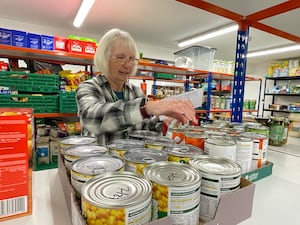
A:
x: 277, y: 126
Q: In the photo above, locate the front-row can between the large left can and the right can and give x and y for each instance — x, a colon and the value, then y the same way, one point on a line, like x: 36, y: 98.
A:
x: 175, y: 192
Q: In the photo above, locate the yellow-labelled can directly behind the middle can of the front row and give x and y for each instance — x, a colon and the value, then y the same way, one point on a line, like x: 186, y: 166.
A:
x: 182, y: 153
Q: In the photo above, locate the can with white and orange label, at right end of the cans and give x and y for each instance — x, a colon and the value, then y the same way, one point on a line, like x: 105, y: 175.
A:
x: 260, y: 147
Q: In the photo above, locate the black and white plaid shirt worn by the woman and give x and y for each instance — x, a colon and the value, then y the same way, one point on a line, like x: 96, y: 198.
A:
x: 107, y: 118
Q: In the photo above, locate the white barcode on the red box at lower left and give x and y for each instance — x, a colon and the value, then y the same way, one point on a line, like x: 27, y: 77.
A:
x: 13, y: 206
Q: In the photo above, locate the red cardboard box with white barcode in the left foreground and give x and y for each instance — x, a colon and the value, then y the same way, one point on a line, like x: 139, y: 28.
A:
x: 16, y: 145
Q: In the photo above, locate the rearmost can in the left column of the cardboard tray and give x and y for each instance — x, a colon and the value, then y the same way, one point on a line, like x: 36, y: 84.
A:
x: 75, y: 140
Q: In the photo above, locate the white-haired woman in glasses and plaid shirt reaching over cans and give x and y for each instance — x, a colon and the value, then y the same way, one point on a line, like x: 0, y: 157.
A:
x: 109, y: 106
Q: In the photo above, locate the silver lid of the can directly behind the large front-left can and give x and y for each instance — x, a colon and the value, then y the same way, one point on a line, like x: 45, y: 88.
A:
x: 93, y: 165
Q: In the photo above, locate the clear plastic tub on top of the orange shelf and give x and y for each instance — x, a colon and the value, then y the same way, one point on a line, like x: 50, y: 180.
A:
x: 201, y: 56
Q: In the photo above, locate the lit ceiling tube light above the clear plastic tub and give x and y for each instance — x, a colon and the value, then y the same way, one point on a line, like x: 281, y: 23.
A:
x: 217, y: 32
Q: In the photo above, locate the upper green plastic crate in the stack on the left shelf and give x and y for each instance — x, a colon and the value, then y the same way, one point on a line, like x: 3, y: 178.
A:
x: 30, y: 82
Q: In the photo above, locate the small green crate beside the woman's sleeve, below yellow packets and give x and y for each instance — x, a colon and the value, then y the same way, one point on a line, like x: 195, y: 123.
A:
x: 67, y: 102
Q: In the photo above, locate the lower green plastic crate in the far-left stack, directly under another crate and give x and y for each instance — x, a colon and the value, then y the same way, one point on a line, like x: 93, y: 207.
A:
x: 40, y: 104
